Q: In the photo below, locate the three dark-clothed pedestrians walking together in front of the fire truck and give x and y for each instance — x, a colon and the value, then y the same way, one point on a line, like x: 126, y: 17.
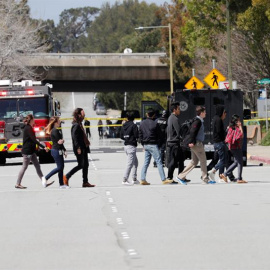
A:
x: 80, y: 145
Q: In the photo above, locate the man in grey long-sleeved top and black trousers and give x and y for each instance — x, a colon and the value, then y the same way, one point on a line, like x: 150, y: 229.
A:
x: 175, y: 155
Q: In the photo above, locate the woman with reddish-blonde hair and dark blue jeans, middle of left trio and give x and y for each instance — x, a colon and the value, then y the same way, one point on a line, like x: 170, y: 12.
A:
x: 58, y: 150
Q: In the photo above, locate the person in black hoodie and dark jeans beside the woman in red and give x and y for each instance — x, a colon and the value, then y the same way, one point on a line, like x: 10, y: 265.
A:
x: 219, y: 135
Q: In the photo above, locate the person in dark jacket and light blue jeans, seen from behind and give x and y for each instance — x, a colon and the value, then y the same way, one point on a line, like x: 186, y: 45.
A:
x: 150, y: 137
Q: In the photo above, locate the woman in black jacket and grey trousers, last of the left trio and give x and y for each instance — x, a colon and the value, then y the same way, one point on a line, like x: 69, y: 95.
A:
x: 29, y: 152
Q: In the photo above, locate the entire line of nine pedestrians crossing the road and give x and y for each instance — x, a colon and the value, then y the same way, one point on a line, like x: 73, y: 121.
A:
x: 155, y: 135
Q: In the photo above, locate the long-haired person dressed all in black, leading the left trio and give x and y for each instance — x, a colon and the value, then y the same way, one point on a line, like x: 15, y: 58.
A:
x: 81, y: 148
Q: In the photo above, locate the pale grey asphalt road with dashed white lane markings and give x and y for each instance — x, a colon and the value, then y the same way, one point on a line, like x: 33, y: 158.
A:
x: 222, y: 226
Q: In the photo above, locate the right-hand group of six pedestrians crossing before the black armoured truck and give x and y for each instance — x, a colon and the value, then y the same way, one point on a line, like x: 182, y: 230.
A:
x: 227, y: 143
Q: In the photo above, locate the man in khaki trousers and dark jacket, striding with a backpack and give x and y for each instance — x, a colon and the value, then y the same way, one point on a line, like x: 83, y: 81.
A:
x: 195, y: 141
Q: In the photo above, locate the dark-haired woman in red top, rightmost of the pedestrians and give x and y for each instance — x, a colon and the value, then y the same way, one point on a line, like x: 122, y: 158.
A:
x: 234, y: 140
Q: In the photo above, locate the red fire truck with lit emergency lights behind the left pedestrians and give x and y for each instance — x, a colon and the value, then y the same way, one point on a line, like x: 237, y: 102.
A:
x: 17, y: 100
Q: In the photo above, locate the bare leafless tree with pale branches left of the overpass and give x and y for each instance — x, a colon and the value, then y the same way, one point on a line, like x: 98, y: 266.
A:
x: 19, y: 37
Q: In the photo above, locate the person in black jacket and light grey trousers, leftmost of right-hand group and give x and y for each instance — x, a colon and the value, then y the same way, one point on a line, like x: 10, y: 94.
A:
x: 130, y: 134
